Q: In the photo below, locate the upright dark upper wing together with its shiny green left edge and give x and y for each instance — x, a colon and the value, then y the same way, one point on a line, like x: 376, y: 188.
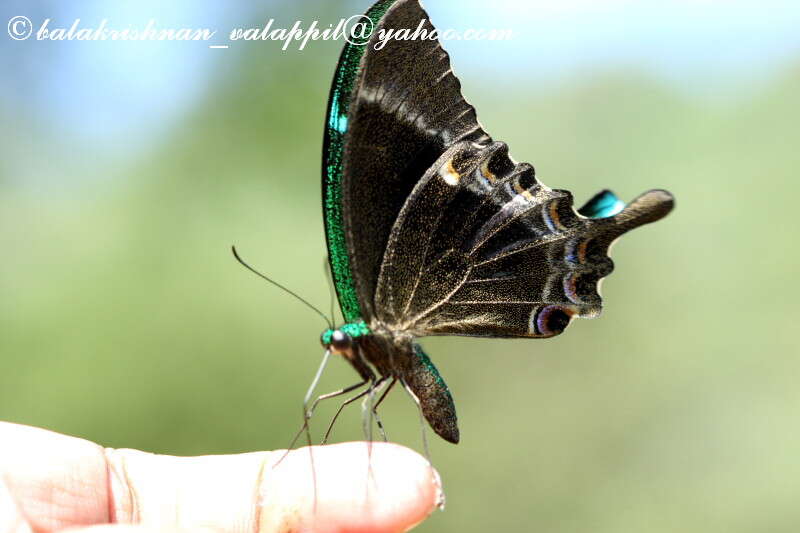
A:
x: 392, y: 113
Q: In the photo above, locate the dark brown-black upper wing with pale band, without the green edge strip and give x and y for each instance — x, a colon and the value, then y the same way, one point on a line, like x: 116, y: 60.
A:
x: 405, y: 110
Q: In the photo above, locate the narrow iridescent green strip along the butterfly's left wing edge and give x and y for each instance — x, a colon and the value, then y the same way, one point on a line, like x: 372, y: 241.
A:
x: 332, y: 166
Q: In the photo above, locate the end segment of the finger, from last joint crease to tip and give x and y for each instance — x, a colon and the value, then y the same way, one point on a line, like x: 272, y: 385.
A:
x: 353, y: 487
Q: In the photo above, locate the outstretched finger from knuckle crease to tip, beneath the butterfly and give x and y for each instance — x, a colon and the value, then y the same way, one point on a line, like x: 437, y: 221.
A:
x: 250, y: 492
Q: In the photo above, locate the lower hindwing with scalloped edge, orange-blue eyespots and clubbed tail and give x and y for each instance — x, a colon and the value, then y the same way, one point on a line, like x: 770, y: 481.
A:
x: 482, y: 248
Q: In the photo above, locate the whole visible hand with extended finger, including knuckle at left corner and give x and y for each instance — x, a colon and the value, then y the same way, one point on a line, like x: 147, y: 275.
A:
x: 52, y: 482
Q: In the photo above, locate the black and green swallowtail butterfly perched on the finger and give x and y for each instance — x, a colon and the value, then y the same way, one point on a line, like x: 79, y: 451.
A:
x: 433, y: 229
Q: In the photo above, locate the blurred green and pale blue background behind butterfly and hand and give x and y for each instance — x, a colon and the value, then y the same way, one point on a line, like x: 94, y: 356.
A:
x: 128, y: 169
